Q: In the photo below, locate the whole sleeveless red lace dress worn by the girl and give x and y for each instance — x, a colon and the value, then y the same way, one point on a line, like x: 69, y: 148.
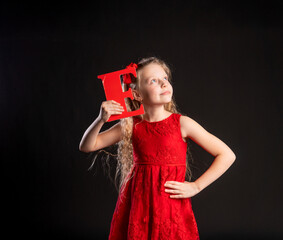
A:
x: 143, y: 209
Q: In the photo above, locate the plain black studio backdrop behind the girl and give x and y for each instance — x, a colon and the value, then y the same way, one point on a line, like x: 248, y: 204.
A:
x: 226, y: 58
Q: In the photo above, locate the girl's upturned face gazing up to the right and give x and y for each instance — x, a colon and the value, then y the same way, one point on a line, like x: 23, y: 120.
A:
x: 155, y: 87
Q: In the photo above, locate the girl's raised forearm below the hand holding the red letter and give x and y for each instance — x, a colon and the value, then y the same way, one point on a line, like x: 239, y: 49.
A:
x: 89, y: 138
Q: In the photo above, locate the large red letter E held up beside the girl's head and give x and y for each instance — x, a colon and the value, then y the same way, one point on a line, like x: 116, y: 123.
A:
x: 113, y: 91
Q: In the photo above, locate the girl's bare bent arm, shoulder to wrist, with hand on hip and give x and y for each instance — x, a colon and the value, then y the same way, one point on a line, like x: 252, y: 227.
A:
x: 224, y: 156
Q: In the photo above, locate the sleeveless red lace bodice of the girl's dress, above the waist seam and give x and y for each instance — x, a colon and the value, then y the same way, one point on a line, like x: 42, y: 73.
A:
x: 159, y: 142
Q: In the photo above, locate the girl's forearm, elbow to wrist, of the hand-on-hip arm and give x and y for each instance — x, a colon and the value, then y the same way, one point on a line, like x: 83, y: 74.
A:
x: 220, y: 164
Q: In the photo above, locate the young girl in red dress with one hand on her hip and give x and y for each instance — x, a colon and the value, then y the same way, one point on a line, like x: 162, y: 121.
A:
x: 154, y: 199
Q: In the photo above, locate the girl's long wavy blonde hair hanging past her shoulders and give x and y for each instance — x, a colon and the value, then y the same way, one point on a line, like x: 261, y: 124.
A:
x: 124, y: 154
